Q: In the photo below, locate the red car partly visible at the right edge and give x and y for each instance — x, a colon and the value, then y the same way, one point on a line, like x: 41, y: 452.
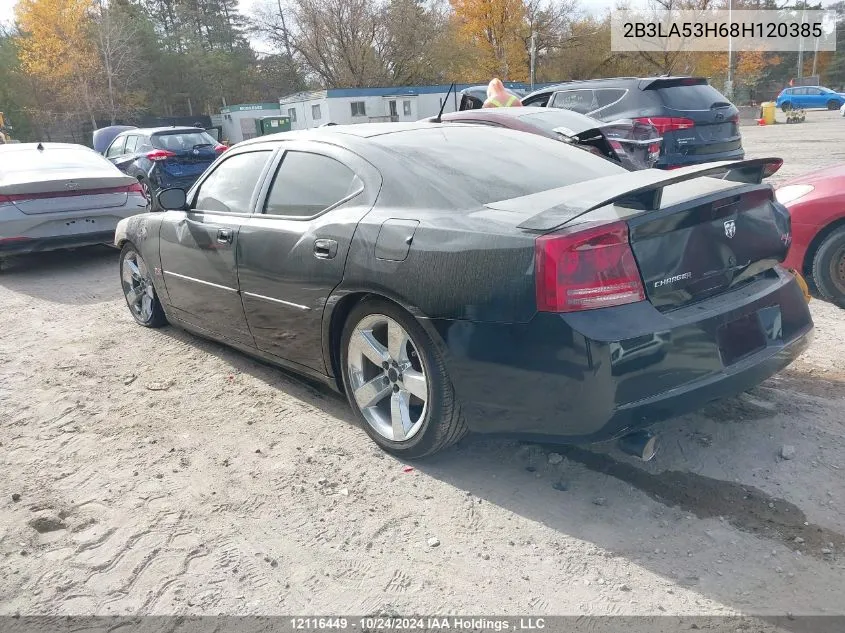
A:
x: 816, y: 202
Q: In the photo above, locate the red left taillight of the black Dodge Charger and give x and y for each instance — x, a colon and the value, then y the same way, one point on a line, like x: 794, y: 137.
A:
x: 587, y: 268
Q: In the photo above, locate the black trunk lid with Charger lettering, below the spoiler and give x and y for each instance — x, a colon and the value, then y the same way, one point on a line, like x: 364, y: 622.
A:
x: 697, y: 248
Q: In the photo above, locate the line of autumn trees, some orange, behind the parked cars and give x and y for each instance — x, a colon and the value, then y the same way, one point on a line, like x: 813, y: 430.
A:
x: 84, y: 62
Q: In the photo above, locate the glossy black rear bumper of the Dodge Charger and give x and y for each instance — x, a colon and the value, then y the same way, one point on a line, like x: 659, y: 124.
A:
x: 595, y: 375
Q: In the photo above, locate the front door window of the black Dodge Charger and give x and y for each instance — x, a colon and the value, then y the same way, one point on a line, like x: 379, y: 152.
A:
x: 230, y: 186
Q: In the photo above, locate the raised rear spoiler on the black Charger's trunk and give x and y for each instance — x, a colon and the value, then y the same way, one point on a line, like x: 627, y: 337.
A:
x: 640, y: 190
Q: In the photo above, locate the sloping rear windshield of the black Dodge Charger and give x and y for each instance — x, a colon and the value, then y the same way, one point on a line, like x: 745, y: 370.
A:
x: 491, y: 164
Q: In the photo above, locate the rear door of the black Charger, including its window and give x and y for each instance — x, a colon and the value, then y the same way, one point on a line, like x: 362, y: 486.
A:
x: 292, y: 251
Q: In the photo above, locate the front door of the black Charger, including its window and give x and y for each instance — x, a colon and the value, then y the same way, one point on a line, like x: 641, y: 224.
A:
x: 198, y: 245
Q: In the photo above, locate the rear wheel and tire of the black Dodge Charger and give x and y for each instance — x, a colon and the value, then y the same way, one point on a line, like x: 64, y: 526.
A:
x: 396, y: 381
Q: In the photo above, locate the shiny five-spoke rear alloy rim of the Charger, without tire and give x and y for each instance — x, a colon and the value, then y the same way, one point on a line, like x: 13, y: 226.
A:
x: 387, y: 377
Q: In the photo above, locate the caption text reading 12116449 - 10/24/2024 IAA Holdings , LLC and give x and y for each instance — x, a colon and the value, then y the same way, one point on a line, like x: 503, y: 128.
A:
x: 377, y: 624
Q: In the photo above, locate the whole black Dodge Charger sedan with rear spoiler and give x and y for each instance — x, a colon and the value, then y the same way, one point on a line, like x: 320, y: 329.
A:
x: 450, y: 278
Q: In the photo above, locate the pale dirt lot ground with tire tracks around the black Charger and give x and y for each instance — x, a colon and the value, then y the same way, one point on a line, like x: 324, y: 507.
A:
x: 148, y: 471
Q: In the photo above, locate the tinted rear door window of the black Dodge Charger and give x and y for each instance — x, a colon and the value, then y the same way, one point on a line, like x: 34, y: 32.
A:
x: 307, y: 184
